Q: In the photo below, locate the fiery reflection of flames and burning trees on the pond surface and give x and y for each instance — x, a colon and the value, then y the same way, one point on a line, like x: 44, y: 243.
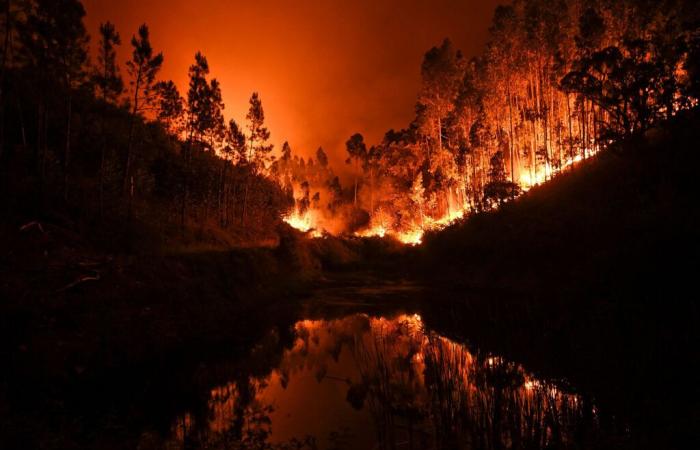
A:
x: 402, y: 367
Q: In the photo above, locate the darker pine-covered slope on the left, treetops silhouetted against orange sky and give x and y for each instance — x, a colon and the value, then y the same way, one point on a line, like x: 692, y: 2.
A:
x: 119, y: 149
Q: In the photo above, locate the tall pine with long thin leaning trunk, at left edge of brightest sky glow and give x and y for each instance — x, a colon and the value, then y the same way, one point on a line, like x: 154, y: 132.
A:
x: 143, y: 67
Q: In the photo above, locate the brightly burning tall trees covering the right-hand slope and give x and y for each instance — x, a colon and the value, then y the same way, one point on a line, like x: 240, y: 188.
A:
x: 558, y: 82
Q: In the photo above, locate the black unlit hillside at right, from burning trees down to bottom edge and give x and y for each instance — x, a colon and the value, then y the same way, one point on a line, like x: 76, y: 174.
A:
x: 591, y: 277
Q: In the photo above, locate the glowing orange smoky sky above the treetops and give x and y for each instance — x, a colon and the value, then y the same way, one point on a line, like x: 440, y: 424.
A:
x: 324, y: 69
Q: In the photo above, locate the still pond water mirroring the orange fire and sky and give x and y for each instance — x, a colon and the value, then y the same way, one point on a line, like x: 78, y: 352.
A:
x: 379, y: 382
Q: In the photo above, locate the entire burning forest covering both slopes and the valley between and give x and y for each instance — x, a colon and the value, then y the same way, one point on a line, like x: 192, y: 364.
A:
x: 116, y: 148
